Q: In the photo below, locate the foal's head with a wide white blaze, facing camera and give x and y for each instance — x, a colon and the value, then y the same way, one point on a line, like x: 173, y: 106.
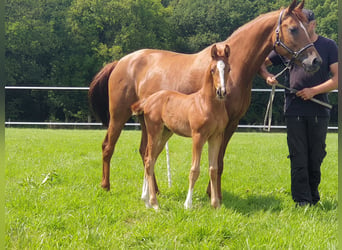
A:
x: 219, y: 69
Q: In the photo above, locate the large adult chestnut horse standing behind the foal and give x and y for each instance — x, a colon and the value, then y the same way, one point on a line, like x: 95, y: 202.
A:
x: 138, y: 75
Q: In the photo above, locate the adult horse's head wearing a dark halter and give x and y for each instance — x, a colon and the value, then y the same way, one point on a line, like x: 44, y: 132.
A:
x: 291, y: 38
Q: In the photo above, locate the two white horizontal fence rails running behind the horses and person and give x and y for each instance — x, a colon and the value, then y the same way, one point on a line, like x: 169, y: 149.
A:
x: 9, y: 123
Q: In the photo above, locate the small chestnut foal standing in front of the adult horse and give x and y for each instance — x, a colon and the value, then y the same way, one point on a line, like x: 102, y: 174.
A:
x: 201, y: 115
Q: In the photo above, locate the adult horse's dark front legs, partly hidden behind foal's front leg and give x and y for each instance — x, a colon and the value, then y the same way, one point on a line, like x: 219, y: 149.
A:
x: 230, y: 129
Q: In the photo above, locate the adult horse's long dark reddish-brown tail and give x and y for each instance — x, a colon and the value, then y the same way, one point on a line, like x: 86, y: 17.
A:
x: 98, y: 93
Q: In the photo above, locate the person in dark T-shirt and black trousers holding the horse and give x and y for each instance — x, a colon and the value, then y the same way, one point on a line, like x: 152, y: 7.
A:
x: 307, y: 121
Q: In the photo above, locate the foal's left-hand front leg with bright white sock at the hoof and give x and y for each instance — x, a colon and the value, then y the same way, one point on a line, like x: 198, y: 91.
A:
x: 197, y: 146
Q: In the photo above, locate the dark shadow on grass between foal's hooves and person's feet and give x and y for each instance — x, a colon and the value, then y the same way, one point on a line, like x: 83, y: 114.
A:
x: 252, y: 203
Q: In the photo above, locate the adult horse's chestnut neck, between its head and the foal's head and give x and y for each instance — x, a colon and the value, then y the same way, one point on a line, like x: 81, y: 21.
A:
x: 250, y: 45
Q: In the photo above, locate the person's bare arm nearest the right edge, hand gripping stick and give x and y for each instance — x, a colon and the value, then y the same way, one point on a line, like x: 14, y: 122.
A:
x: 327, y: 86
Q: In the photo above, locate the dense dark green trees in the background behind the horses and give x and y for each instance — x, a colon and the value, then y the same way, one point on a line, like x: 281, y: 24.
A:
x: 66, y: 42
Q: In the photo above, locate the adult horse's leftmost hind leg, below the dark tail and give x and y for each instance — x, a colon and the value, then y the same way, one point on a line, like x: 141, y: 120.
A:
x: 108, y: 145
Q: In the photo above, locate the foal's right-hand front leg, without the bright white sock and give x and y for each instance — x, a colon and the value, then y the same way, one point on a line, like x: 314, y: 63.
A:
x: 214, y: 144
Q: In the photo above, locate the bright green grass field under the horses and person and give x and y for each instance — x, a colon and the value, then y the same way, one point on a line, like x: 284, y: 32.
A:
x: 54, y: 199
